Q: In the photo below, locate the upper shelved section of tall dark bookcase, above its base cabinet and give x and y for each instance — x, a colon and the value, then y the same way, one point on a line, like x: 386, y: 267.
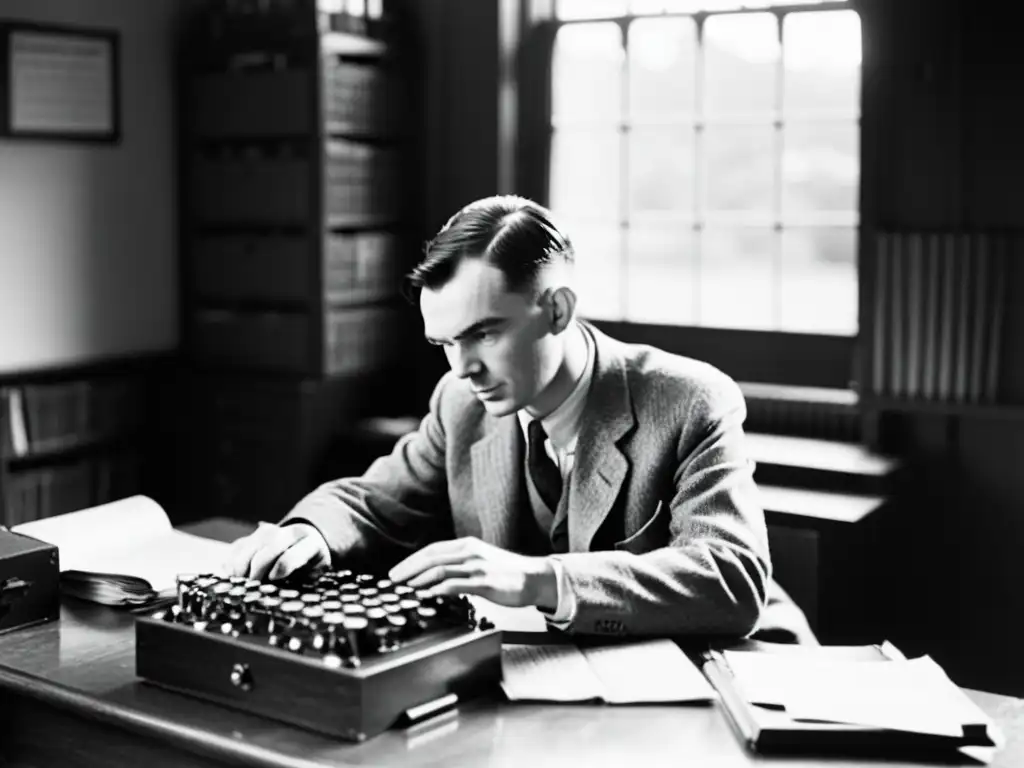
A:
x: 295, y: 230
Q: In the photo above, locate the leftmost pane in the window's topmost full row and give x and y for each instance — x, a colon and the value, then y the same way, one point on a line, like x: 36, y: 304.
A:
x: 587, y: 73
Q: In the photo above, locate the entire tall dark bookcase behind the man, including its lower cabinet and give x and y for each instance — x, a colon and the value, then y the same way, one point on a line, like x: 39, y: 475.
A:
x: 296, y: 234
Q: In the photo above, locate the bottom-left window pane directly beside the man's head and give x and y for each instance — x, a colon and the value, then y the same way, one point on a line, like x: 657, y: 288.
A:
x: 600, y: 267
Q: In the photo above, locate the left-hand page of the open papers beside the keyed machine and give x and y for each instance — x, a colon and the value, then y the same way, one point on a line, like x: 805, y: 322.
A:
x: 548, y: 673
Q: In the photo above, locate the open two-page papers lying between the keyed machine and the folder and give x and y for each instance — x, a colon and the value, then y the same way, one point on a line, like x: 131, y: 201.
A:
x: 642, y: 672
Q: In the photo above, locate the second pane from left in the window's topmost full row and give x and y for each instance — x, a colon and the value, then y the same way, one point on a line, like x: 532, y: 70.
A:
x: 663, y: 67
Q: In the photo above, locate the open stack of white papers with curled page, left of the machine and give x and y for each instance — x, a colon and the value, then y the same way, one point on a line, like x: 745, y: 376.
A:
x: 124, y: 553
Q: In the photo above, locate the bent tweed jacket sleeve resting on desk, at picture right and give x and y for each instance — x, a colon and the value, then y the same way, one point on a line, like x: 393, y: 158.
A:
x: 713, y: 576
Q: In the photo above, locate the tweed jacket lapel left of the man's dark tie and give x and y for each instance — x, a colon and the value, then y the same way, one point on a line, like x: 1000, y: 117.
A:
x: 496, y: 459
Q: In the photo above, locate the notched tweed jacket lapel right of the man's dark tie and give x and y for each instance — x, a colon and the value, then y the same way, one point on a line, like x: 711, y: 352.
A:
x: 601, y: 465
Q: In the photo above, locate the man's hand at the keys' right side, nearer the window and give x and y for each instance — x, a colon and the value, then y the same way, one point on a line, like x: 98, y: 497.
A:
x: 475, y: 568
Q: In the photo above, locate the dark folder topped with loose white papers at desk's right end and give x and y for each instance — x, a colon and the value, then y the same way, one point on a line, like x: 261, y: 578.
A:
x: 767, y: 724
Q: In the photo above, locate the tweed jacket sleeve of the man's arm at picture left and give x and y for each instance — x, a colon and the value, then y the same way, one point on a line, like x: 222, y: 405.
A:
x: 398, y: 506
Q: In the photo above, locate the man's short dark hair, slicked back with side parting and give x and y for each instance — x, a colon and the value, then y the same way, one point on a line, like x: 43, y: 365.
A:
x: 514, y: 234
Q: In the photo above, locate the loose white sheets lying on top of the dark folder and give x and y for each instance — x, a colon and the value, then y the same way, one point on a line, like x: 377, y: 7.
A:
x: 911, y: 696
